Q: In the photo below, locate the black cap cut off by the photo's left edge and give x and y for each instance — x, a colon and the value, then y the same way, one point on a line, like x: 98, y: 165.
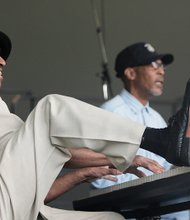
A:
x: 5, y: 45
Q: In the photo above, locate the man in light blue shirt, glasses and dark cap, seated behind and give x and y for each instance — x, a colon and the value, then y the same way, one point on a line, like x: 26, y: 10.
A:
x: 142, y: 71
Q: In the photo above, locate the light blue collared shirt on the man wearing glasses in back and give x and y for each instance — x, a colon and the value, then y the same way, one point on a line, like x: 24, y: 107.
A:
x: 126, y: 105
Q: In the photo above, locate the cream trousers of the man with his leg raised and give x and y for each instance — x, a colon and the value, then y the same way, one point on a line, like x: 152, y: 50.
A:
x: 36, y: 151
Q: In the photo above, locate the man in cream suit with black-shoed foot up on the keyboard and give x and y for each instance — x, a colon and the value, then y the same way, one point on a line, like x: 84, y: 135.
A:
x: 32, y: 153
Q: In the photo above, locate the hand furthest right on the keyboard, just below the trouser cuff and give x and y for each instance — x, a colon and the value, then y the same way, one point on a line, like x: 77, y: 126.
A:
x: 140, y: 161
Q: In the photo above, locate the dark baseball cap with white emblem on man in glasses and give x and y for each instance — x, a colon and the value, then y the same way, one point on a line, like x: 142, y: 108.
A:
x: 139, y: 54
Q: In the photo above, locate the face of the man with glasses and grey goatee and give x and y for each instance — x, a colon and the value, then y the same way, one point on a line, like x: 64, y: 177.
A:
x: 149, y: 79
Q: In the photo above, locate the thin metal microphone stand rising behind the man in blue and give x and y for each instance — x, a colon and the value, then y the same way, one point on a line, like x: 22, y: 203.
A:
x: 105, y: 78
